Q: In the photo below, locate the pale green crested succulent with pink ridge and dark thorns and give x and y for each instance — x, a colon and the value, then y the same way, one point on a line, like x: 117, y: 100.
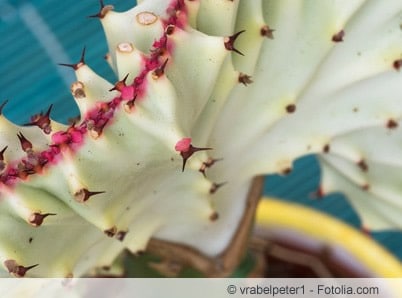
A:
x: 209, y: 95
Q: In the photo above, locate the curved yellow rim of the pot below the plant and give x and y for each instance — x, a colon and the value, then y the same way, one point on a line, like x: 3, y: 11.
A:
x: 273, y: 213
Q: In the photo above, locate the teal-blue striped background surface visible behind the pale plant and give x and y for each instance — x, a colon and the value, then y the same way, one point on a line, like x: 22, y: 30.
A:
x: 36, y: 35
